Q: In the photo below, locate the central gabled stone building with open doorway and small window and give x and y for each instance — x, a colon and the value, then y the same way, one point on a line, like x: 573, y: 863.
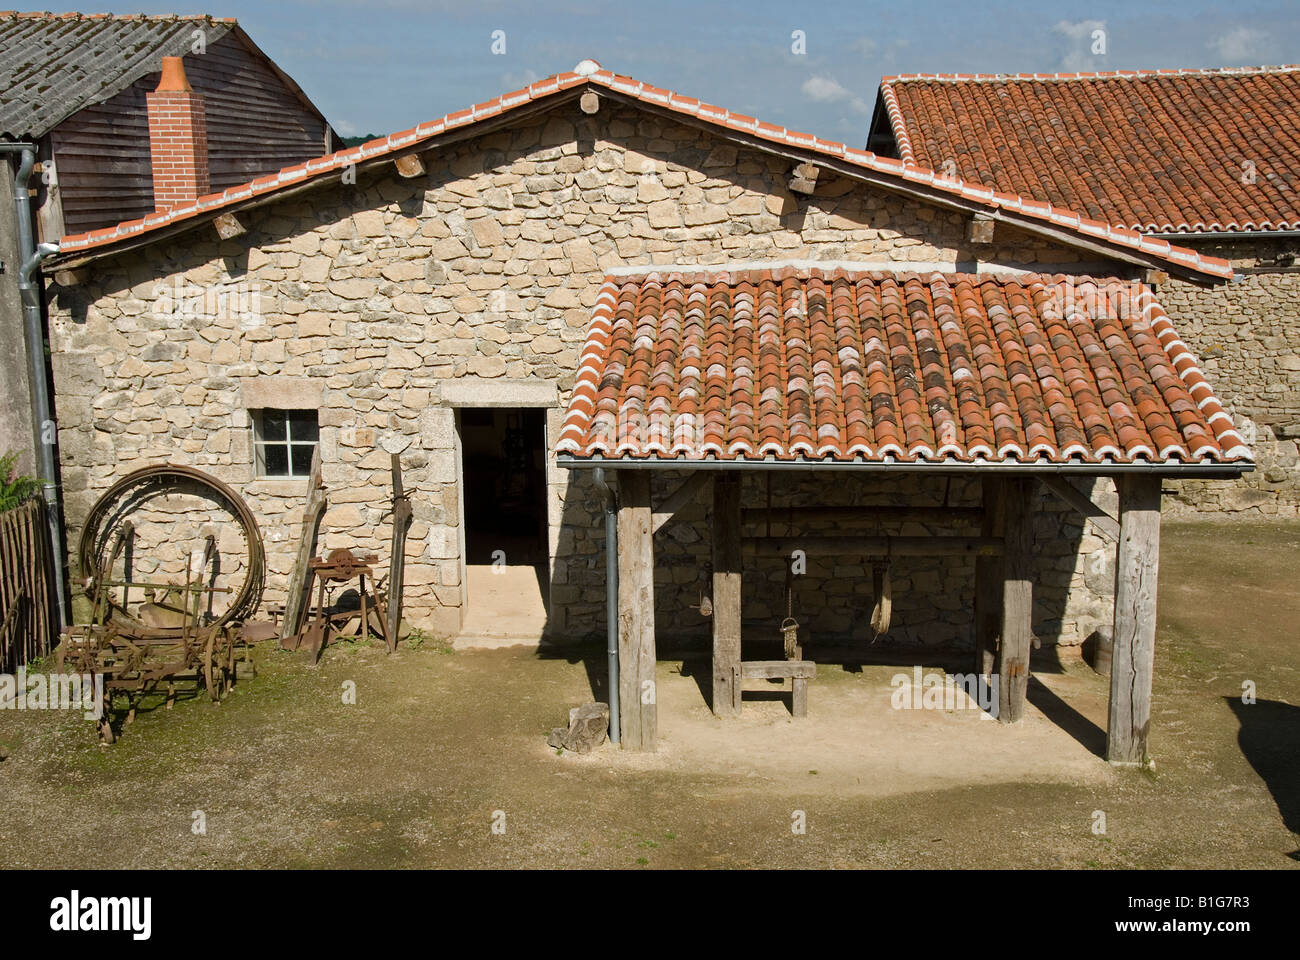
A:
x: 431, y: 293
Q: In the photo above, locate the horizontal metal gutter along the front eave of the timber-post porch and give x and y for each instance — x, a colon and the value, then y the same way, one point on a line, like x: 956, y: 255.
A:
x: 1189, y: 472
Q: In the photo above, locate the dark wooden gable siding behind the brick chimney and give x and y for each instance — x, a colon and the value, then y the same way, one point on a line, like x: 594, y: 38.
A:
x: 255, y: 126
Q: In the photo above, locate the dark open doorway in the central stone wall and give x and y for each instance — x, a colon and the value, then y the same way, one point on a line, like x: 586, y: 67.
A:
x: 505, y: 483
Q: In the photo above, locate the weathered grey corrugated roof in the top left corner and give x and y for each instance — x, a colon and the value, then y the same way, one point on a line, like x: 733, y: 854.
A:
x: 54, y: 66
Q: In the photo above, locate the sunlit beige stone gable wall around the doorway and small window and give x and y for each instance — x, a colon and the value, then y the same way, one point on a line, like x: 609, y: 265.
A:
x: 370, y: 302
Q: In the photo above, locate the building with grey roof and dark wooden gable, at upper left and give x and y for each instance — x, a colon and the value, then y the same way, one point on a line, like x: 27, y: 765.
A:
x: 81, y: 89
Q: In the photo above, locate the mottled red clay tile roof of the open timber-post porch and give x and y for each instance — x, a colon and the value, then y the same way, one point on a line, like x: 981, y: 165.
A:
x: 879, y: 367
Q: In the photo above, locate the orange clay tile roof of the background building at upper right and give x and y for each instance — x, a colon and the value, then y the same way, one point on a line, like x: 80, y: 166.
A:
x: 1182, y: 152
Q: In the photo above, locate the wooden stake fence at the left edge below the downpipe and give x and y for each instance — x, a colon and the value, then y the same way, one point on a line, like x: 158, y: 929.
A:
x: 28, y: 621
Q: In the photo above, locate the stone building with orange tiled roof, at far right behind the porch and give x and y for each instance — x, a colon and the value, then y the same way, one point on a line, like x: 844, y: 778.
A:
x: 1207, y: 159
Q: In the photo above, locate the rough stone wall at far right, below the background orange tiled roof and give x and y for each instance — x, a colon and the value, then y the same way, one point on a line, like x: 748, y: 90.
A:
x: 1247, y: 338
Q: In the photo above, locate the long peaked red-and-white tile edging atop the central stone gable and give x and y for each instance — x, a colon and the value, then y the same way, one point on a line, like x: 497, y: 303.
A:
x: 591, y: 73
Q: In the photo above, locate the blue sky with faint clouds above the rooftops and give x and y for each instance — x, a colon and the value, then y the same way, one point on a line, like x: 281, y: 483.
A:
x: 384, y: 66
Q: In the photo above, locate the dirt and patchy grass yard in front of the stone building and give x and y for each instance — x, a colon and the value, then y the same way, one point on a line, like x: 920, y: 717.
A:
x: 443, y: 746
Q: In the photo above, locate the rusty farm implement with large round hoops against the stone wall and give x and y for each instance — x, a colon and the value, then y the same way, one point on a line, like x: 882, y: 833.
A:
x: 174, y: 634
